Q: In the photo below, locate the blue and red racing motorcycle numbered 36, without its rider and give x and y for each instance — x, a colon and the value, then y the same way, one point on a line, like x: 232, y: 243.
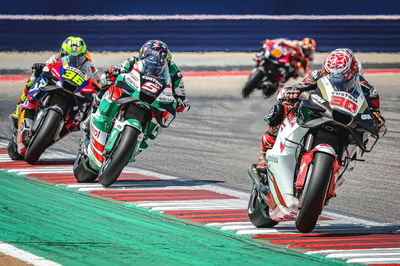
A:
x: 64, y: 93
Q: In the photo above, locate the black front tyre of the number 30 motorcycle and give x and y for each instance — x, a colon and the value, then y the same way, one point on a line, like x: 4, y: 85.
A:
x: 315, y: 193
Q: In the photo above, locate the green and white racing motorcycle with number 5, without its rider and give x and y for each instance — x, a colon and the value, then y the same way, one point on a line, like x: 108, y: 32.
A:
x: 135, y: 108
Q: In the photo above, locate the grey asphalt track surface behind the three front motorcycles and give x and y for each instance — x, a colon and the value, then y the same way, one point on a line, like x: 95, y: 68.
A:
x: 219, y: 138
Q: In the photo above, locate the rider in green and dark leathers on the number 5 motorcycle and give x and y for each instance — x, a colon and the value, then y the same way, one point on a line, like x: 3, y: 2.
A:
x: 105, y: 113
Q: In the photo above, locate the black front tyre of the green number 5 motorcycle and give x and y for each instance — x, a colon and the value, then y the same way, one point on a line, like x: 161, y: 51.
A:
x: 119, y: 157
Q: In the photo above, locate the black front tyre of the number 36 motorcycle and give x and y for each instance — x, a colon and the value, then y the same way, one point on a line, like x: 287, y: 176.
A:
x: 43, y: 137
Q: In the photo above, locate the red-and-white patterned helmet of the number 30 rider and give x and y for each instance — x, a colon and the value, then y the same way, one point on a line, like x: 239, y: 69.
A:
x: 341, y: 67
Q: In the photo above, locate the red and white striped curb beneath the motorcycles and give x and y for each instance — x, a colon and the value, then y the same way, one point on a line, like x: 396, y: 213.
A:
x: 336, y: 235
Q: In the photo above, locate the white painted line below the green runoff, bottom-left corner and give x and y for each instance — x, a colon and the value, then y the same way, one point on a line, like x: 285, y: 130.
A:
x: 20, y: 254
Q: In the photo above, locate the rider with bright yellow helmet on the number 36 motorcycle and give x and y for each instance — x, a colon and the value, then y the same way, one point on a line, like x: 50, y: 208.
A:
x: 74, y: 46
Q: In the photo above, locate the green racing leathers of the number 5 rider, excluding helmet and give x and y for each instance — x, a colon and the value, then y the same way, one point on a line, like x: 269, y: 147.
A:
x: 102, y: 117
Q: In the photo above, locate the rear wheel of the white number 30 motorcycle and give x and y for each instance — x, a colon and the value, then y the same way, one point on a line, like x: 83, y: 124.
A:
x: 258, y: 212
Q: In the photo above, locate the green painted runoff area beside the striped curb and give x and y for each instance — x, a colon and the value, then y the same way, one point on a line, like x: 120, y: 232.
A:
x: 72, y: 228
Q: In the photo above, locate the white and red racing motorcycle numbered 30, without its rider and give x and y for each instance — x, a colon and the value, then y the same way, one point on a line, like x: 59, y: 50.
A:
x: 329, y: 128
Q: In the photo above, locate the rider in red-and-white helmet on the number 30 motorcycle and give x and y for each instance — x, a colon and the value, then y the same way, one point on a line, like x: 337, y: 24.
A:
x: 340, y: 65
